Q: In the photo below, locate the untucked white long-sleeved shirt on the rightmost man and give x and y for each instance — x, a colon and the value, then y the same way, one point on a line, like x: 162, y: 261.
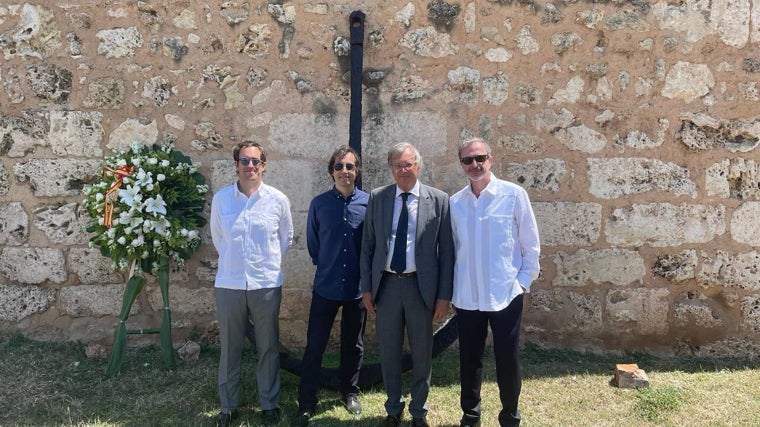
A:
x: 497, y: 245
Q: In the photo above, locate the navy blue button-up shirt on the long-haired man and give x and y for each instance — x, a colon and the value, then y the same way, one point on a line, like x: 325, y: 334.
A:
x: 334, y: 237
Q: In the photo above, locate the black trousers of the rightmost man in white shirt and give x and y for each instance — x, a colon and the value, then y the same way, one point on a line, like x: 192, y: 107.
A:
x: 473, y: 330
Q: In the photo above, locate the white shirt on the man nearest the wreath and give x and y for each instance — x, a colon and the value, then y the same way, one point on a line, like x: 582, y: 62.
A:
x: 251, y: 234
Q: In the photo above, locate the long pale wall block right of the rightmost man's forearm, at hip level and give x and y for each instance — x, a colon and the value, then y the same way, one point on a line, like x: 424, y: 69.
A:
x: 617, y: 266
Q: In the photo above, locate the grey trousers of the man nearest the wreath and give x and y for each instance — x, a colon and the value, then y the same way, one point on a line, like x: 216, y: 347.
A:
x: 233, y: 308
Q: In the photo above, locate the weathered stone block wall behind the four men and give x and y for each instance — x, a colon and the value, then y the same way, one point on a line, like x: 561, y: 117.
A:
x: 632, y: 124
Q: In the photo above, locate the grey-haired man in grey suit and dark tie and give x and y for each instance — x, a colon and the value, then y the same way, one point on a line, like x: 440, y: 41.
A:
x: 407, y: 267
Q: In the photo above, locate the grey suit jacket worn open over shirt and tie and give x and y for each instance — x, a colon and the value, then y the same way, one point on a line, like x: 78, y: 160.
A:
x: 434, y: 247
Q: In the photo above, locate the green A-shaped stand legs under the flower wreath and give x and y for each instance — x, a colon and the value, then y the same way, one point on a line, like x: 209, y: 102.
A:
x: 132, y: 290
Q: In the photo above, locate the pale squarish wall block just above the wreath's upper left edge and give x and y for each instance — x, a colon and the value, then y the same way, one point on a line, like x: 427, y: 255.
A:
x: 76, y: 133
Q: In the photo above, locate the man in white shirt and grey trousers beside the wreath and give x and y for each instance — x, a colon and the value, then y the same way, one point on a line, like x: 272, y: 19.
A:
x: 252, y: 228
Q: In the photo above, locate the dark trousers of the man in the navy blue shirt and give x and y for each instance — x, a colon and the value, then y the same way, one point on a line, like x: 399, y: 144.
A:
x: 321, y: 318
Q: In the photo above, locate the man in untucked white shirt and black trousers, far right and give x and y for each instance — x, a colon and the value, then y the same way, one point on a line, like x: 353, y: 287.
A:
x: 497, y: 251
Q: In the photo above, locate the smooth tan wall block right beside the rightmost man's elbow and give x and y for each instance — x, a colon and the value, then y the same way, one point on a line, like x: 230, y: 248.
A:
x: 567, y: 223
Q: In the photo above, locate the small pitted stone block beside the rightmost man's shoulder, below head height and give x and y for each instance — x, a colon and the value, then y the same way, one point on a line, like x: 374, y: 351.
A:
x: 541, y: 175
